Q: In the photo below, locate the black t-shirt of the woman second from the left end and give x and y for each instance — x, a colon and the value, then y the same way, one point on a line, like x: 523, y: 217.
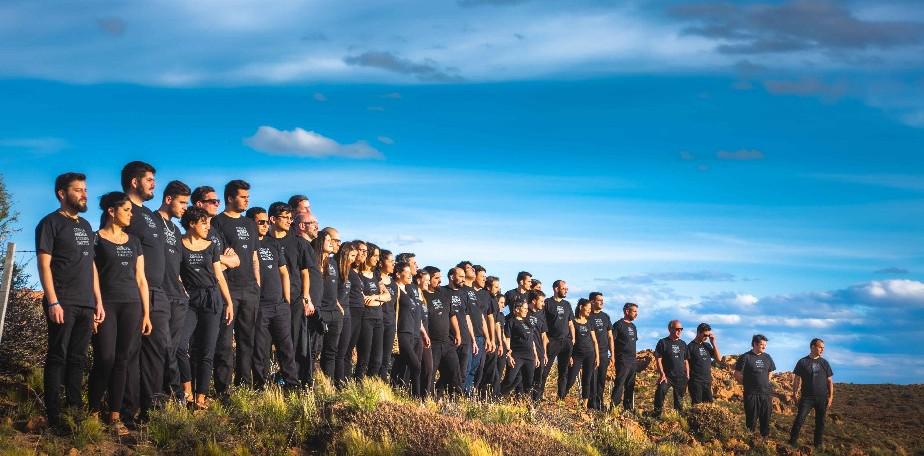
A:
x: 116, y: 266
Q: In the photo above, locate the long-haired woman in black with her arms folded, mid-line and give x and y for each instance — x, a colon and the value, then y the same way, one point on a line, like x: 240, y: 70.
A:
x: 375, y: 294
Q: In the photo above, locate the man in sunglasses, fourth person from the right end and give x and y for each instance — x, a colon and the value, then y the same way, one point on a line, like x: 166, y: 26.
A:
x: 673, y: 367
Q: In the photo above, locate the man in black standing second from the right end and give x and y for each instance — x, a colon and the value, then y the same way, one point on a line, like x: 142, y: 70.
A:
x: 753, y: 369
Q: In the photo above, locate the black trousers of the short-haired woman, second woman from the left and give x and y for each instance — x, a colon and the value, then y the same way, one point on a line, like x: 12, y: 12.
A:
x: 196, y: 351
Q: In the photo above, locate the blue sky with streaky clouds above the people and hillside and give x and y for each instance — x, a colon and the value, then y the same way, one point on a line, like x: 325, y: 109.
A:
x: 758, y: 165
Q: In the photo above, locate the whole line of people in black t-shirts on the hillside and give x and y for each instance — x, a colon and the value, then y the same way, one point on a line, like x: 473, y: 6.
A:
x: 179, y: 314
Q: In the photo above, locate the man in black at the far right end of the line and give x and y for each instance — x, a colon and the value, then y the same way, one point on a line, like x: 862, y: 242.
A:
x: 817, y: 391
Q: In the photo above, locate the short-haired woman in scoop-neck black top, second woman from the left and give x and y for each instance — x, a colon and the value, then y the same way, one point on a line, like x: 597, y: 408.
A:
x: 209, y: 301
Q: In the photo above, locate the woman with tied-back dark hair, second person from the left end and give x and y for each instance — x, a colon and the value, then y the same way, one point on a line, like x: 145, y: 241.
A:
x: 124, y: 291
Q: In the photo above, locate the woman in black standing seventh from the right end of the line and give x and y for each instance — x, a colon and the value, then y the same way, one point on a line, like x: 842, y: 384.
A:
x: 585, y: 356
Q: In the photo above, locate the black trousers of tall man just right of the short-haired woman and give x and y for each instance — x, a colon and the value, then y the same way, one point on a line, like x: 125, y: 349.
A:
x: 246, y: 306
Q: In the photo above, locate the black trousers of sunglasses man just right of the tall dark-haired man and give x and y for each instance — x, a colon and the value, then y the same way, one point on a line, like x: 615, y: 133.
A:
x: 274, y: 328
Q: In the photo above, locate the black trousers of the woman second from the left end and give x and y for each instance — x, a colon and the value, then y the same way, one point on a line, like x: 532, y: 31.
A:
x: 116, y: 340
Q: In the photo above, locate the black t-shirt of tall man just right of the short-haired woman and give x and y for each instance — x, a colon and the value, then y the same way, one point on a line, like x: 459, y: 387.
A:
x: 239, y: 234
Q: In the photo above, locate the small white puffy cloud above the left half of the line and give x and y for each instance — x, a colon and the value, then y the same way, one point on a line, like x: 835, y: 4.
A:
x: 302, y: 143
